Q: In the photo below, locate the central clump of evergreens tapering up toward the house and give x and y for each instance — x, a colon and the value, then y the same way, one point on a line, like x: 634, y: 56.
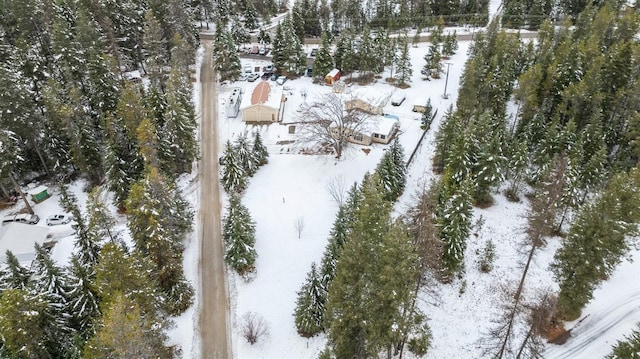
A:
x: 366, y: 307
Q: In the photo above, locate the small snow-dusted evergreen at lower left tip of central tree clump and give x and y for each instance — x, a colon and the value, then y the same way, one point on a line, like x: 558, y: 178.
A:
x: 309, y: 313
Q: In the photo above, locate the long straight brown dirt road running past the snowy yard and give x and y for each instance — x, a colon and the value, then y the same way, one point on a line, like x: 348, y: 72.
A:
x: 214, y: 299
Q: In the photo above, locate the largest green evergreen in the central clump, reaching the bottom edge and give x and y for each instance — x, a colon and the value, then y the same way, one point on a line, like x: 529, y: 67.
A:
x: 365, y: 311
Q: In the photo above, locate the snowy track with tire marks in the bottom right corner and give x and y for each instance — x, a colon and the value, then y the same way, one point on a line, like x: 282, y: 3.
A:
x: 592, y: 332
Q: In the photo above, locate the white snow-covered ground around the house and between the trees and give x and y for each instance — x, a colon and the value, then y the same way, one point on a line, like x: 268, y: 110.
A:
x: 292, y: 187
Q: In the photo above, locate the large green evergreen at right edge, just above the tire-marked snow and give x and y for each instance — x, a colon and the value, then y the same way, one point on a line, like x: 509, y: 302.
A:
x: 596, y: 243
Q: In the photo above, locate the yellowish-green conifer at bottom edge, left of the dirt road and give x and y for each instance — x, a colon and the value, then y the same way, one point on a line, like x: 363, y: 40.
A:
x: 125, y: 331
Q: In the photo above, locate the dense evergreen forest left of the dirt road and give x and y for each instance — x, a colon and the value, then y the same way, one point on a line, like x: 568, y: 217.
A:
x: 67, y: 109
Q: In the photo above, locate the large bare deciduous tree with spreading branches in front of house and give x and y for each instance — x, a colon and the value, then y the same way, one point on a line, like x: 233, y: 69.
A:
x: 328, y: 123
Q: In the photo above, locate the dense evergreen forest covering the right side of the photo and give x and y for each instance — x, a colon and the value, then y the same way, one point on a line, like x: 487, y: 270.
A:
x: 573, y: 141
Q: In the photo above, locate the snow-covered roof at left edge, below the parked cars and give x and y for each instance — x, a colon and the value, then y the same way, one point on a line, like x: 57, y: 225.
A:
x: 20, y: 238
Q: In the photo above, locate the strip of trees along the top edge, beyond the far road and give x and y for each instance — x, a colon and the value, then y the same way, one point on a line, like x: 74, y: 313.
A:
x: 312, y: 17
